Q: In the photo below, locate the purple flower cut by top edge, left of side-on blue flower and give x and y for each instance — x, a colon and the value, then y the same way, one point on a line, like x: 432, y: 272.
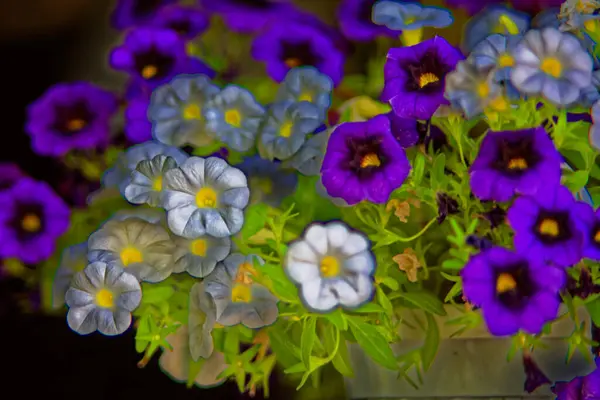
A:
x: 355, y: 21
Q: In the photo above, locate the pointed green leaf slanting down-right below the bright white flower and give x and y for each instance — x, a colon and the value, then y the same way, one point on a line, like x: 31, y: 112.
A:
x: 373, y: 342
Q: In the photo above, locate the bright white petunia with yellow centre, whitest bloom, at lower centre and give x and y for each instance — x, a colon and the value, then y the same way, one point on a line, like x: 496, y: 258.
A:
x: 332, y: 266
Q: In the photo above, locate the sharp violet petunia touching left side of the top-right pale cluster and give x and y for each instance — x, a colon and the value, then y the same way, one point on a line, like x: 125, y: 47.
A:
x: 415, y: 77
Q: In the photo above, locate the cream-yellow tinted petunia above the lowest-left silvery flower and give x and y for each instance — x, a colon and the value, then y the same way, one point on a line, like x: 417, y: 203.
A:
x: 144, y: 249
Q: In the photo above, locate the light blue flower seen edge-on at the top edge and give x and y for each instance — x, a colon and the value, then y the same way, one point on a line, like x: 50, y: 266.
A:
x: 409, y: 16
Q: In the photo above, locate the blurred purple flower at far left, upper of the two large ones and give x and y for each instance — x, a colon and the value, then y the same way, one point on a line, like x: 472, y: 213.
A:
x: 70, y: 116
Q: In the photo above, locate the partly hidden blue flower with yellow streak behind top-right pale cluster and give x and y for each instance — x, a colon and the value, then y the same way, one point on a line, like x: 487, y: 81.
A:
x: 494, y: 19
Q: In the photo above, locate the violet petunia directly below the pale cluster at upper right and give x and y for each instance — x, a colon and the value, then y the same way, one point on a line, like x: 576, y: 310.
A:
x: 512, y: 162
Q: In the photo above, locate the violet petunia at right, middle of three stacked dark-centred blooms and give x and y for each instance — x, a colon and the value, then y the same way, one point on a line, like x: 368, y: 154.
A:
x: 547, y: 226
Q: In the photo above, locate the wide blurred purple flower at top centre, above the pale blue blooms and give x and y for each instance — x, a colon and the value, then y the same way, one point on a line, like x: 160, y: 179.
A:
x: 288, y: 44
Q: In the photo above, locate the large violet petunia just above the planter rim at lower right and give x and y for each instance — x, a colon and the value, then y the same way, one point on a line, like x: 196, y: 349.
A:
x: 515, y: 293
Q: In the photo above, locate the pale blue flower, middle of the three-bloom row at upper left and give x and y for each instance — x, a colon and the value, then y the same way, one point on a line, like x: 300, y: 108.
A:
x: 234, y: 116
